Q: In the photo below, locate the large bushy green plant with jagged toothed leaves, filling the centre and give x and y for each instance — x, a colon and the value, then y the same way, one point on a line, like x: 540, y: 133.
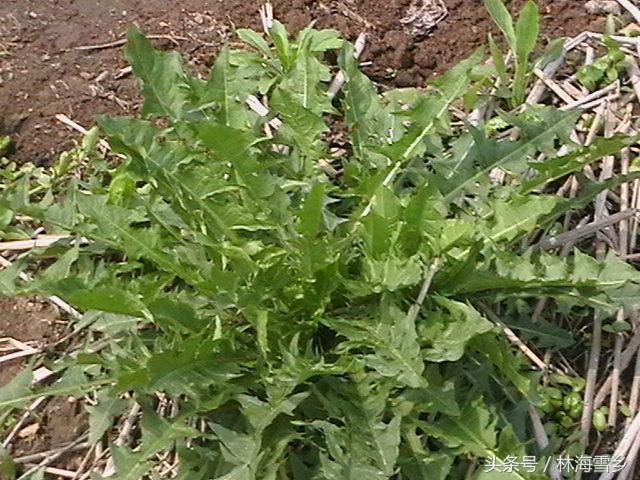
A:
x: 275, y: 321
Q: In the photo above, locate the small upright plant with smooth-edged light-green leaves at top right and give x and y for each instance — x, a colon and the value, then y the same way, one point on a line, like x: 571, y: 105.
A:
x: 521, y: 38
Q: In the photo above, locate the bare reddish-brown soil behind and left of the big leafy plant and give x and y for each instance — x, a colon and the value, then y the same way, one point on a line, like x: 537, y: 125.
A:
x: 53, y: 61
